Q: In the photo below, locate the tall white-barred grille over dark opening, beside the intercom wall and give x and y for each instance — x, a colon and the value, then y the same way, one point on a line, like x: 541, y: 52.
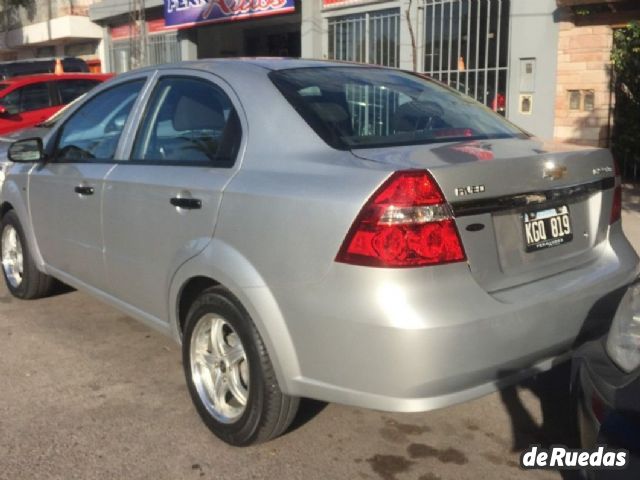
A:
x: 466, y: 46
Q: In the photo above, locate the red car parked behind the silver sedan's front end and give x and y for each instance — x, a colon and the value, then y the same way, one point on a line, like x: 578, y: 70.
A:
x: 27, y: 101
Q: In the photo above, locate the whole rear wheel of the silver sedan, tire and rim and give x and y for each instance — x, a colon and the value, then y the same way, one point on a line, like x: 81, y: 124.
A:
x: 243, y: 371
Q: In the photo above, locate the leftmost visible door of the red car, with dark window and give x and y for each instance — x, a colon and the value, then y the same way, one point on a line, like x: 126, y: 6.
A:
x: 27, y: 106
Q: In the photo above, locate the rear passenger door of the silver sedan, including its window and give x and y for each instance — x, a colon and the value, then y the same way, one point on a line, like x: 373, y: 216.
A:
x: 160, y: 207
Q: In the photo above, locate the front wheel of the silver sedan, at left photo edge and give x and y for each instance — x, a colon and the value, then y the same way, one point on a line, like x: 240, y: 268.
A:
x: 22, y: 277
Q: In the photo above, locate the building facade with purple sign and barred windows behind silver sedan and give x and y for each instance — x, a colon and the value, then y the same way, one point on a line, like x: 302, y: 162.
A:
x: 544, y: 64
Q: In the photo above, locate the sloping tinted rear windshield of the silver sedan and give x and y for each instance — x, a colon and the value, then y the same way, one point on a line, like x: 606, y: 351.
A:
x: 354, y: 107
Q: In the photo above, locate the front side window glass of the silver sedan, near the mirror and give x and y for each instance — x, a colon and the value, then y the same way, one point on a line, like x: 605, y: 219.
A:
x: 93, y: 132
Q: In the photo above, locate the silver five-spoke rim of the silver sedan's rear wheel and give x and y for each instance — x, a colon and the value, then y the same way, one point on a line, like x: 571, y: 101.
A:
x: 219, y: 368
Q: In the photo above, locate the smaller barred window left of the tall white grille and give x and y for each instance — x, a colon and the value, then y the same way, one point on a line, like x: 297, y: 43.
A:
x: 372, y: 37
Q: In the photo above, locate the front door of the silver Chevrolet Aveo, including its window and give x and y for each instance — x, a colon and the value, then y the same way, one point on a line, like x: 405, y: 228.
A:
x: 65, y: 193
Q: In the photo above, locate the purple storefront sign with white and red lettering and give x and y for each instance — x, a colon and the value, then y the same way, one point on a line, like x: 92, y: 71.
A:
x: 193, y: 12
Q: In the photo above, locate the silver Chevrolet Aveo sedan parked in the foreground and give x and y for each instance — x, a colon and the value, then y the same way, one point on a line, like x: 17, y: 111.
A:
x: 348, y: 233
